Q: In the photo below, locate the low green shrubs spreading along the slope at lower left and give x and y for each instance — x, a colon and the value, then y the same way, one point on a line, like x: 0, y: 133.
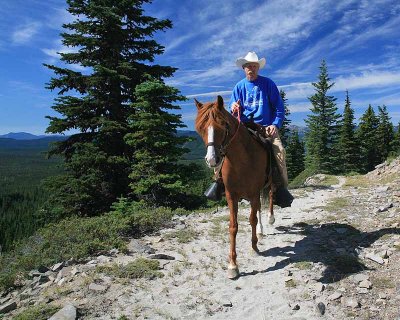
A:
x: 78, y: 238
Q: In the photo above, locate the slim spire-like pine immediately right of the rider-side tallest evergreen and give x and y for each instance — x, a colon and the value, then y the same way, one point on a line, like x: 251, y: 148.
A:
x: 348, y: 145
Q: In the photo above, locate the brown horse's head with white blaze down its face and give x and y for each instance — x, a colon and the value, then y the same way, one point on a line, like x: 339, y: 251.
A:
x: 212, y: 123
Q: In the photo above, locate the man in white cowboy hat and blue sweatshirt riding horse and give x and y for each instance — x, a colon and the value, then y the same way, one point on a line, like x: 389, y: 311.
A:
x: 257, y: 100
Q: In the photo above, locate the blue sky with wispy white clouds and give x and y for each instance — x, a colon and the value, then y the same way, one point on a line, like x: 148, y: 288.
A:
x: 360, y: 40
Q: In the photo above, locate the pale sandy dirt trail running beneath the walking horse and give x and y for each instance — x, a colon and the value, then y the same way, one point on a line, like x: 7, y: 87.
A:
x: 196, y: 286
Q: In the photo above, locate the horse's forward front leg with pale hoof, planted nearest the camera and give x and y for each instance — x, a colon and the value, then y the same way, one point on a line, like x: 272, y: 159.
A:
x: 233, y: 270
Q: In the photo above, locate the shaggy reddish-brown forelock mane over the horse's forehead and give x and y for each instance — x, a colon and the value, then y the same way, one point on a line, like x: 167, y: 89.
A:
x: 210, y: 115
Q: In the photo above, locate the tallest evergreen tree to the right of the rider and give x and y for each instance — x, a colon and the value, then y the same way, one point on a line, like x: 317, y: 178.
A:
x: 322, y: 136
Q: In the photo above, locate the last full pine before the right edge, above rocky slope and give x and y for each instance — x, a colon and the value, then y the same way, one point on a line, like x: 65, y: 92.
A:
x: 384, y: 134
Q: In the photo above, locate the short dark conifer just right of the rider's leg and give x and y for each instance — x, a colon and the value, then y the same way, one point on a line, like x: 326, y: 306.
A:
x: 294, y: 155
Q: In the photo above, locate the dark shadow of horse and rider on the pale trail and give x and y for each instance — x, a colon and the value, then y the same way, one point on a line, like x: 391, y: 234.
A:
x: 335, y: 245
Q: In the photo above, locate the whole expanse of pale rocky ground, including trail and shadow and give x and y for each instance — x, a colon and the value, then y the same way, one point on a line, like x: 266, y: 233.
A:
x: 334, y: 254
